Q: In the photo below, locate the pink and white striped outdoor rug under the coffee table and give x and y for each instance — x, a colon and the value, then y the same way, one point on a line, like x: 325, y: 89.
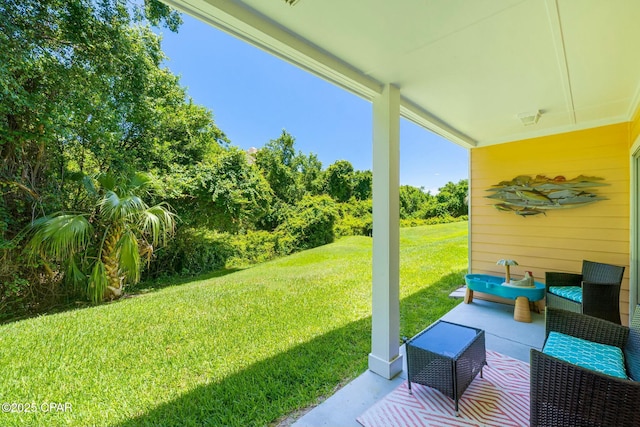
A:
x: 500, y: 399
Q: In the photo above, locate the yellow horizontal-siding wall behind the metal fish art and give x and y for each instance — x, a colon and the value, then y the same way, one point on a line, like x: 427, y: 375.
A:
x: 560, y: 240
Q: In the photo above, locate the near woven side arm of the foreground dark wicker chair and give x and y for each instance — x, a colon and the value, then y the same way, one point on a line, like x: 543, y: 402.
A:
x: 563, y: 394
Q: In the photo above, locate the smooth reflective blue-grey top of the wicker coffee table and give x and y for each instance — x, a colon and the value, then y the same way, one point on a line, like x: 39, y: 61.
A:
x: 445, y: 338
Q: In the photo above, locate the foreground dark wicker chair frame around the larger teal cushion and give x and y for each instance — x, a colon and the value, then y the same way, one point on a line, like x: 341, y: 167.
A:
x: 566, y: 395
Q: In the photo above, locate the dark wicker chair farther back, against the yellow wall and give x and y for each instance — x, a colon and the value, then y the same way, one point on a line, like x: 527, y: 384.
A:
x: 600, y: 290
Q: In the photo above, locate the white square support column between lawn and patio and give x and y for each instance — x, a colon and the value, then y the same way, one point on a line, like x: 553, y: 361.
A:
x: 384, y: 358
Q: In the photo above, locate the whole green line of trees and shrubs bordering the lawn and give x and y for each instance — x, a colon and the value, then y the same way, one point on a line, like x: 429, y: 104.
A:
x: 111, y: 174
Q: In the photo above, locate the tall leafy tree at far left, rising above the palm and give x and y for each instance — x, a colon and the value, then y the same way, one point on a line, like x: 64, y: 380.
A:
x: 79, y: 83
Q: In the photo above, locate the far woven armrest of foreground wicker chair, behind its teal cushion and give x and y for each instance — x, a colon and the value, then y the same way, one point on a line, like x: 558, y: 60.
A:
x: 586, y: 327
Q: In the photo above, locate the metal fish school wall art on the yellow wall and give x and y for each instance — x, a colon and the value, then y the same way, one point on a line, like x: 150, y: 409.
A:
x: 526, y: 196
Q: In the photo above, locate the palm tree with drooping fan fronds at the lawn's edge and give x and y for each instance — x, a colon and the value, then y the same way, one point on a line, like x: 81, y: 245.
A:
x: 101, y: 250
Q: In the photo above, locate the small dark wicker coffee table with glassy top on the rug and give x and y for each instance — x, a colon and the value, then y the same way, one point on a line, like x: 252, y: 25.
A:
x: 446, y: 356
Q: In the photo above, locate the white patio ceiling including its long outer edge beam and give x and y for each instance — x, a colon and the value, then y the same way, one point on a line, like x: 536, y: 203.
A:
x: 465, y: 68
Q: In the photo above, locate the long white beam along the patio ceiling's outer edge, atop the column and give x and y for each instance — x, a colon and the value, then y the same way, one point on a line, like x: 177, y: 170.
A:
x: 248, y: 25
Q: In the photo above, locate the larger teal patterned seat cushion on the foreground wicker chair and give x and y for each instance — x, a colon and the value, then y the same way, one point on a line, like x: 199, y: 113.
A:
x: 601, y: 358
